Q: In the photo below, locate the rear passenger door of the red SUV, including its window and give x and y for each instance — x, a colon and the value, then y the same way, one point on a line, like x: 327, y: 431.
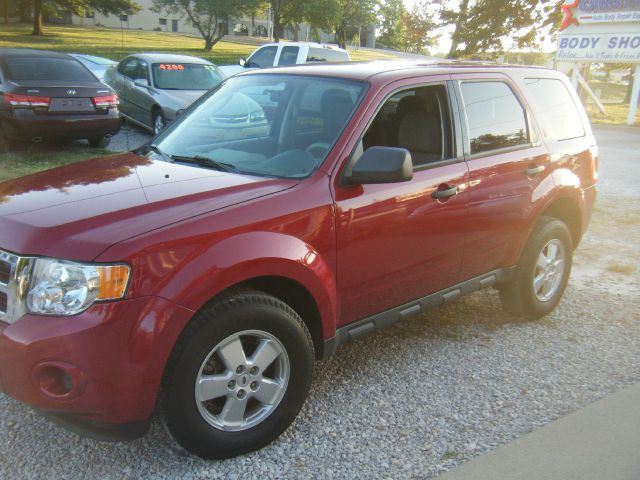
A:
x: 507, y: 163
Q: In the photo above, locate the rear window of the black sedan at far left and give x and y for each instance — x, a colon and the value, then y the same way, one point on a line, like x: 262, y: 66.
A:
x: 61, y: 69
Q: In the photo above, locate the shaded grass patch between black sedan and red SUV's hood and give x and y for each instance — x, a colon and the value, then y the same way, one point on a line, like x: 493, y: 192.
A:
x: 18, y: 163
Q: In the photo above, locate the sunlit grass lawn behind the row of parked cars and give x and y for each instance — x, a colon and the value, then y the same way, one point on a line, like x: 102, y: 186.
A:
x: 116, y: 44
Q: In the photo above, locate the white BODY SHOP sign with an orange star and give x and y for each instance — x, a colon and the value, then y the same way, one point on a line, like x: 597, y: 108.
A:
x: 600, y: 31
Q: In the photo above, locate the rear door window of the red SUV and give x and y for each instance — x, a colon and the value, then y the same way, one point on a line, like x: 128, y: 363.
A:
x: 495, y: 117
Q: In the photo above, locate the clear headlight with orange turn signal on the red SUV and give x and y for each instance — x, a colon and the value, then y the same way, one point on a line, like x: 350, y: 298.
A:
x: 60, y: 287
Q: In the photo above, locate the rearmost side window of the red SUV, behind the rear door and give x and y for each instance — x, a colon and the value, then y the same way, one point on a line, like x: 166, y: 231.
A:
x: 554, y: 107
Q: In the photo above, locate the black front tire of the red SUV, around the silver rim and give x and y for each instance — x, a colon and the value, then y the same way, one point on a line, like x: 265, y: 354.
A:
x: 198, y: 347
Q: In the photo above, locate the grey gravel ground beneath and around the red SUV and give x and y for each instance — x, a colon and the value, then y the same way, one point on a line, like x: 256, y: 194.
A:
x: 425, y: 395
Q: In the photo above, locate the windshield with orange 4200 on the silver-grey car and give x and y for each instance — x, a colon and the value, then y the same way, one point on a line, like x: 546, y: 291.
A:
x: 185, y: 76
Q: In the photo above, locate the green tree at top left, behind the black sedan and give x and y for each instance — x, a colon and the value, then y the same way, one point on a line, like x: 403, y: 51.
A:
x: 77, y: 7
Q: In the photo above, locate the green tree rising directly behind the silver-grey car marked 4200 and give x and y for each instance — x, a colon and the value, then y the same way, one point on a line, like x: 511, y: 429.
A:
x: 205, y: 15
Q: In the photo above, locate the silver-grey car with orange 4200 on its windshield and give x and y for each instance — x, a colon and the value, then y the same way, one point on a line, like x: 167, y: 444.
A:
x: 155, y: 88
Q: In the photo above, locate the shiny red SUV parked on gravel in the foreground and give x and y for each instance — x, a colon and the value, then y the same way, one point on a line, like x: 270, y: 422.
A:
x: 292, y: 210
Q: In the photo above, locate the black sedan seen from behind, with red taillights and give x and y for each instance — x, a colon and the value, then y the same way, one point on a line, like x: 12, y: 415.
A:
x: 49, y: 95
